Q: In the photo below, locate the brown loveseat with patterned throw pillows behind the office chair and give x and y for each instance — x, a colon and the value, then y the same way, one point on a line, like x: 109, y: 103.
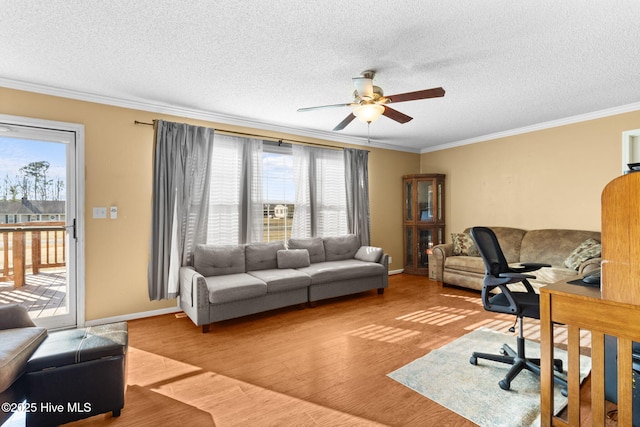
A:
x: 571, y: 253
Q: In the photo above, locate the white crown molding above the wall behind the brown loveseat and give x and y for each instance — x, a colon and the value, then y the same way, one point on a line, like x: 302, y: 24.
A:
x: 540, y: 126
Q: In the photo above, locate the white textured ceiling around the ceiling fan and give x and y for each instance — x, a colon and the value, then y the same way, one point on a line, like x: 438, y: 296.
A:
x: 505, y: 65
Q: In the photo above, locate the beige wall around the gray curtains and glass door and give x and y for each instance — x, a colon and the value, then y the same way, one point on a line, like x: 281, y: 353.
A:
x: 118, y: 162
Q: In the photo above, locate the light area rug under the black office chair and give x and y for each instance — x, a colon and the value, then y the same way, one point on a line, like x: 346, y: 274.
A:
x: 446, y: 377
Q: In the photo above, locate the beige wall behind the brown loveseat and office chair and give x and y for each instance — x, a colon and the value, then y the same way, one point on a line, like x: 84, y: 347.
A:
x: 551, y: 178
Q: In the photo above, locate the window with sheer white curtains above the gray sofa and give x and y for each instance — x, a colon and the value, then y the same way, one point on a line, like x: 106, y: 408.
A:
x: 269, y: 191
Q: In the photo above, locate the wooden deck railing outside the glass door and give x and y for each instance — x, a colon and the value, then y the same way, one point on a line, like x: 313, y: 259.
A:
x: 33, y: 245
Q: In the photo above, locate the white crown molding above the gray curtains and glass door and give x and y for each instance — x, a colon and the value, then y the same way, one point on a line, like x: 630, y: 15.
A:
x: 209, y: 116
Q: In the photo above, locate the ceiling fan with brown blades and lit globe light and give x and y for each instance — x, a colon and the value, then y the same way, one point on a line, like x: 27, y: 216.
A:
x: 370, y: 103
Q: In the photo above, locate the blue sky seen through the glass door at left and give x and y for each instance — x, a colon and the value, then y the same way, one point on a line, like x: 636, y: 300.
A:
x: 16, y: 153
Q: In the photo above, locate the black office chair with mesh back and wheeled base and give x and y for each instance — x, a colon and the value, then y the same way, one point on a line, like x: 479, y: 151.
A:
x: 498, y: 274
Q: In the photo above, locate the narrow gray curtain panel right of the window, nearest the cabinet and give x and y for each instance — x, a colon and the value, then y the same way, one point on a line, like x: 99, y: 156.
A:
x: 356, y: 173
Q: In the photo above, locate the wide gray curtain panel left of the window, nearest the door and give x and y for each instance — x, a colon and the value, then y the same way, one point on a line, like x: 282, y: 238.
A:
x: 182, y: 160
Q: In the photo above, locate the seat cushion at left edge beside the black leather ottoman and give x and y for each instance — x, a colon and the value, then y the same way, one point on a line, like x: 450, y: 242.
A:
x: 17, y: 346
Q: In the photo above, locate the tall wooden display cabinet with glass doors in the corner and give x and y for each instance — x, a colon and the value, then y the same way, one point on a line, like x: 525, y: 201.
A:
x: 423, y: 219
